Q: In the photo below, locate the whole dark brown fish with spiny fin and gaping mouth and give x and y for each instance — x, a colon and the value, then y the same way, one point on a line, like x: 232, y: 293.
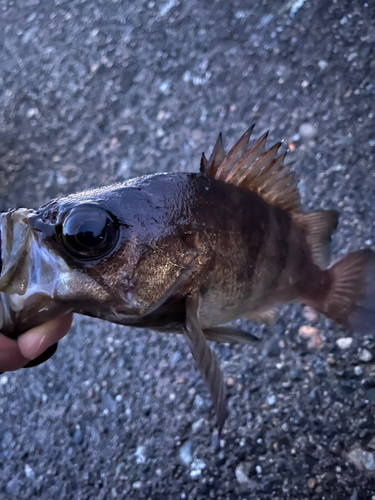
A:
x: 184, y: 253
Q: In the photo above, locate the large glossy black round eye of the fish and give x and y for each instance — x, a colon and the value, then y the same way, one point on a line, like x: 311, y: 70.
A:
x: 88, y: 232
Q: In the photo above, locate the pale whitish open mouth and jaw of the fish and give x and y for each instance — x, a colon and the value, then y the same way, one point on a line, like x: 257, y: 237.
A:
x: 31, y: 278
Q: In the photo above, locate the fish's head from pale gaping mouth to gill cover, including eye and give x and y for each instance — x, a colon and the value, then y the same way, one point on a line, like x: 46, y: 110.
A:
x: 105, y: 253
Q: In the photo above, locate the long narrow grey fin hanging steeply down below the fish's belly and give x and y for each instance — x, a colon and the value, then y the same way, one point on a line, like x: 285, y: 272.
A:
x: 206, y: 361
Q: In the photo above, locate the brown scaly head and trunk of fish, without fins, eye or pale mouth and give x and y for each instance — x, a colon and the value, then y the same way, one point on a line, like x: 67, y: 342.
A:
x: 239, y: 253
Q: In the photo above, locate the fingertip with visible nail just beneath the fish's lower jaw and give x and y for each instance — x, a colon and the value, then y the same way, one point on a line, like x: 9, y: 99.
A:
x: 38, y: 339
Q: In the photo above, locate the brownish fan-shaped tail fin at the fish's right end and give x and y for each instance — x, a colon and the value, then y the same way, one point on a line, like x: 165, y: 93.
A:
x: 351, y: 298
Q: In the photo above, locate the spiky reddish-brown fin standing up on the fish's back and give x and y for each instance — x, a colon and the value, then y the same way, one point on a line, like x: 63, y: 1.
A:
x: 255, y: 169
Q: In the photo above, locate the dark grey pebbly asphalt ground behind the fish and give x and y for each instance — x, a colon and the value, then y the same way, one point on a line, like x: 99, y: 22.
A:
x: 92, y: 92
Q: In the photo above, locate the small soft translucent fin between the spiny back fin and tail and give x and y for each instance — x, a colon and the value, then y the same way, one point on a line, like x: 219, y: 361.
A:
x: 318, y: 227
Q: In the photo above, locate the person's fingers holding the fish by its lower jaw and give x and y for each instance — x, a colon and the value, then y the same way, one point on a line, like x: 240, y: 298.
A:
x: 15, y: 354
